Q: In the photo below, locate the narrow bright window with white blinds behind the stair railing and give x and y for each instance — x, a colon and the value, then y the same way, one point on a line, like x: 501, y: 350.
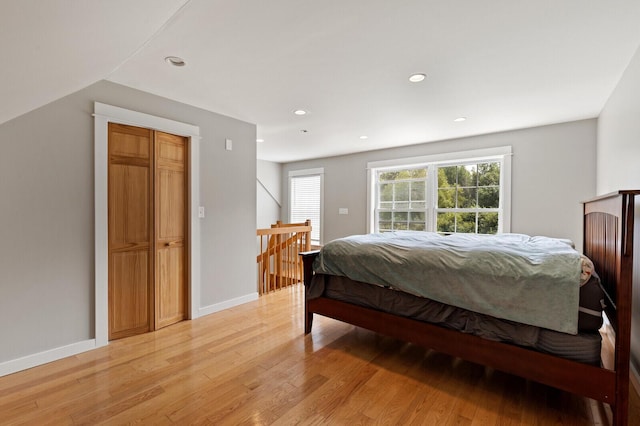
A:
x: 305, y: 200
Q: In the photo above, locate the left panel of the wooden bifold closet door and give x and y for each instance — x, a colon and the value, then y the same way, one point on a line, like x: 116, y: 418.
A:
x: 131, y: 266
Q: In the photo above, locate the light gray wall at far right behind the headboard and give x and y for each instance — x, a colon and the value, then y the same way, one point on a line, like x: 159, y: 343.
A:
x: 618, y: 166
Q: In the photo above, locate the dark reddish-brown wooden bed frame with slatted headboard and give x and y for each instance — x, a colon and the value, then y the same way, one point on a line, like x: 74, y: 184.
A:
x: 608, y: 242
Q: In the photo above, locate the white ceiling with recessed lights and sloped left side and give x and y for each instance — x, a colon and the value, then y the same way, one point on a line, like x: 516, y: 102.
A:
x: 504, y: 64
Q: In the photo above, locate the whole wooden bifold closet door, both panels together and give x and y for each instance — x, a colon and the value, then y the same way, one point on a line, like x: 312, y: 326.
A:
x: 147, y: 228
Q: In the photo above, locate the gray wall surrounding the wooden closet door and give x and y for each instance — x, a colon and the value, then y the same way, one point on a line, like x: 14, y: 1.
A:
x: 47, y: 215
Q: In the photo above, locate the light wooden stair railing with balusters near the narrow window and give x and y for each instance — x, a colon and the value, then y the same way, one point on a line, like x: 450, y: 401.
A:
x: 278, y: 262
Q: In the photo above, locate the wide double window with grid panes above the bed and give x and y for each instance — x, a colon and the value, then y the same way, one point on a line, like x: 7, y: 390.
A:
x: 457, y: 193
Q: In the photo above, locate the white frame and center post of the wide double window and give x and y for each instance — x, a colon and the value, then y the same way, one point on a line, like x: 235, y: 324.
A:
x: 500, y: 154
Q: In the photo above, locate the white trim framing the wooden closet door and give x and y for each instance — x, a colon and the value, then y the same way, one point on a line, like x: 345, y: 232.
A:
x: 103, y: 115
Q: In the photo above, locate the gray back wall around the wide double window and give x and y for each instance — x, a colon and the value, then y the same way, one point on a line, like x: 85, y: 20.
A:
x: 553, y: 170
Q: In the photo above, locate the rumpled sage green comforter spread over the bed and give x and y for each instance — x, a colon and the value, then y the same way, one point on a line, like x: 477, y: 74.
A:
x: 531, y: 280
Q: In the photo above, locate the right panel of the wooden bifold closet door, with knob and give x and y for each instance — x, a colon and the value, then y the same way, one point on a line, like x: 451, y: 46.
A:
x: 170, y: 229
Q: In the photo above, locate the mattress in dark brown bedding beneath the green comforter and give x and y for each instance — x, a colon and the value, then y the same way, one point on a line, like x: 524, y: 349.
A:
x: 582, y: 347
